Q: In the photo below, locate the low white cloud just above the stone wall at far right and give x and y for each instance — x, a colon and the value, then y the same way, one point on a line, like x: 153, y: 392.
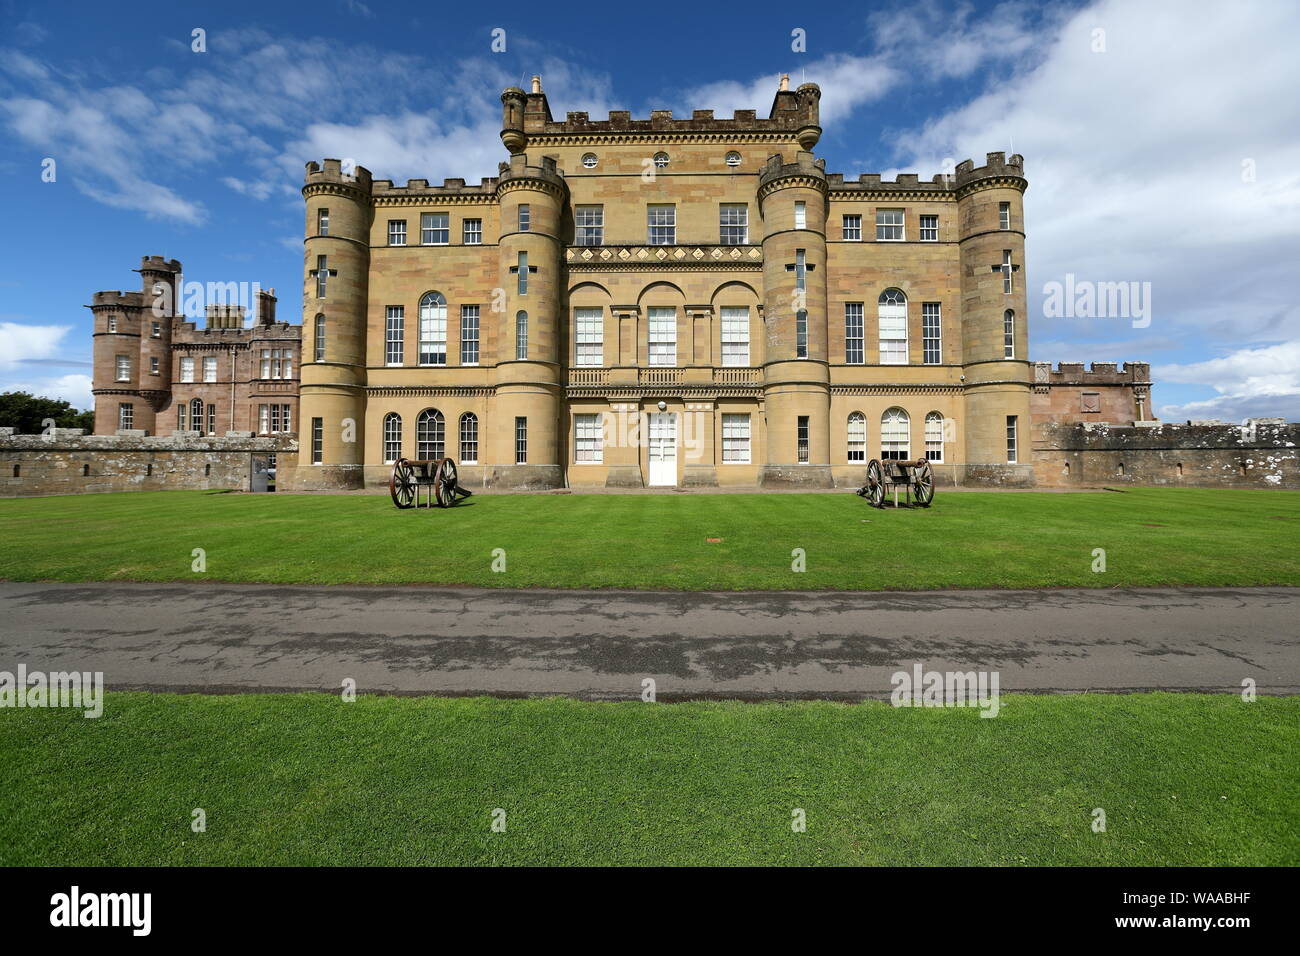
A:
x: 1251, y: 383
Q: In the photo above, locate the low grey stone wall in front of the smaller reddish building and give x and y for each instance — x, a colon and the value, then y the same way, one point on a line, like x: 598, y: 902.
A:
x: 70, y: 462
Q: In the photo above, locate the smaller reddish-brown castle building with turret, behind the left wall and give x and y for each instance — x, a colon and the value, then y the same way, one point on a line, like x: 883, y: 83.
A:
x: 155, y: 373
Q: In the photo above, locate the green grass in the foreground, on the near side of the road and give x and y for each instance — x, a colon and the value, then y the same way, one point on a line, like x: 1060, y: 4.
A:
x: 1184, y: 780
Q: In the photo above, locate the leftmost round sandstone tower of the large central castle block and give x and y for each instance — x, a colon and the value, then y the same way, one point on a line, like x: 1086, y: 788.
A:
x: 336, y: 280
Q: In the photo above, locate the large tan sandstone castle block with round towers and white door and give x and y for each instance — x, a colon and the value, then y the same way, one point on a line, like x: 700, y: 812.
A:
x: 665, y: 302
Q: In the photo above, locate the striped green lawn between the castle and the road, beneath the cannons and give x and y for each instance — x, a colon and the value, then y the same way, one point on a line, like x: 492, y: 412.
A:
x: 968, y: 540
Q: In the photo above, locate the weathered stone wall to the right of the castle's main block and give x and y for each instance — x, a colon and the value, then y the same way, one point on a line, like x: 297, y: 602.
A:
x: 1263, y: 453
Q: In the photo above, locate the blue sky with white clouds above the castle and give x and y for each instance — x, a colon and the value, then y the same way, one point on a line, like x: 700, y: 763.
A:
x: 1162, y: 144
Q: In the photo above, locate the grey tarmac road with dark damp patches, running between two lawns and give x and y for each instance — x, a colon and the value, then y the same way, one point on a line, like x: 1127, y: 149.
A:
x: 600, y: 646
